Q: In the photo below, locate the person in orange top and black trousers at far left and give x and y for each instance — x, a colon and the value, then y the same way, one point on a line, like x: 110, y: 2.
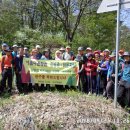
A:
x: 7, y: 66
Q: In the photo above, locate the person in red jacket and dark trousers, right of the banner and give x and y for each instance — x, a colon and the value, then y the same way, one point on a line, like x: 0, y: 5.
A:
x: 90, y: 72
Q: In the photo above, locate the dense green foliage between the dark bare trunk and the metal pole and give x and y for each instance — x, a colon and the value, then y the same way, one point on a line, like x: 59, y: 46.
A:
x: 97, y: 31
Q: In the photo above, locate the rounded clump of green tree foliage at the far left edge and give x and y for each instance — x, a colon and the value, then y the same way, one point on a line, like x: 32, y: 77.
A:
x: 9, y: 21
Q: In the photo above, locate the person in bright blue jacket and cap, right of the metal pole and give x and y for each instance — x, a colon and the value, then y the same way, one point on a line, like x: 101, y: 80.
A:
x: 123, y: 92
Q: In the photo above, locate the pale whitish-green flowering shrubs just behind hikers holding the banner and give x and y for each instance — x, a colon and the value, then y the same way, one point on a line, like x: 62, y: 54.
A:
x: 31, y: 37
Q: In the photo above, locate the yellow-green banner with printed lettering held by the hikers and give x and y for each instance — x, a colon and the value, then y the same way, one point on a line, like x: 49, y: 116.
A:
x: 50, y: 72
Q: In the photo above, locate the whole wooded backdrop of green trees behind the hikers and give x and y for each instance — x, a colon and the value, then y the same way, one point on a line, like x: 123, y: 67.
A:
x: 56, y: 23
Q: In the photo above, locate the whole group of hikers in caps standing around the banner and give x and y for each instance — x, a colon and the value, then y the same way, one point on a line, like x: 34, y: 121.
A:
x: 96, y: 69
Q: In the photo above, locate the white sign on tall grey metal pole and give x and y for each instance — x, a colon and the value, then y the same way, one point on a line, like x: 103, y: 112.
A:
x: 115, y: 5
